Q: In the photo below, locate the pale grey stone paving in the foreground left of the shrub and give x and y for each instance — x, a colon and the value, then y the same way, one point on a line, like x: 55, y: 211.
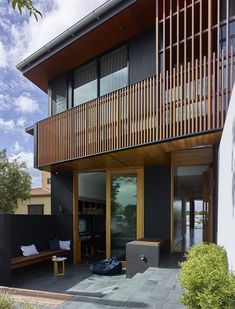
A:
x: 156, y: 288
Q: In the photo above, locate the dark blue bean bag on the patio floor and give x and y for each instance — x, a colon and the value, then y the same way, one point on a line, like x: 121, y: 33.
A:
x: 107, y: 267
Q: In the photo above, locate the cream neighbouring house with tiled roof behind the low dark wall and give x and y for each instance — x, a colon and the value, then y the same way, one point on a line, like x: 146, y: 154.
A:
x: 40, y: 199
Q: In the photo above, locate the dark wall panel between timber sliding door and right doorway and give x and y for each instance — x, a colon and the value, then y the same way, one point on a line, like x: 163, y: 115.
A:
x: 157, y: 201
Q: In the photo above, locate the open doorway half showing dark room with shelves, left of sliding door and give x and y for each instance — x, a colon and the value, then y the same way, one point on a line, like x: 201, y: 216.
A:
x: 92, y: 214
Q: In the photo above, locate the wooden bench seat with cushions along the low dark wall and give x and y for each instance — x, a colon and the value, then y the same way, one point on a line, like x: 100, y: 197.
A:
x: 21, y: 261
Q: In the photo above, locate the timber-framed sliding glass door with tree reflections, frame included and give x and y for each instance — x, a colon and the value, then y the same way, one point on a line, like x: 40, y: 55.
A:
x: 124, y: 210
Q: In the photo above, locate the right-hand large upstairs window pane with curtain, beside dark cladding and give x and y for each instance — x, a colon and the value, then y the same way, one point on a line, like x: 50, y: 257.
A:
x: 113, y: 71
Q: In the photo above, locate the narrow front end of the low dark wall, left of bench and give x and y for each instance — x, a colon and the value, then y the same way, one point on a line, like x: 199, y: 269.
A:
x: 5, y: 250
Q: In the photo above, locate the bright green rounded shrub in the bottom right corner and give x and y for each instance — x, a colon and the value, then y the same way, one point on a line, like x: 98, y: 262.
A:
x: 205, y: 279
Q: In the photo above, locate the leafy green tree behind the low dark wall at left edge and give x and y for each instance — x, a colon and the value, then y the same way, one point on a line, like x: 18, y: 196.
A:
x: 15, y: 183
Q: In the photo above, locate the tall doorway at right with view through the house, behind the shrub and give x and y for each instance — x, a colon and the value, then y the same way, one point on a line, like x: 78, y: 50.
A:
x: 192, y: 206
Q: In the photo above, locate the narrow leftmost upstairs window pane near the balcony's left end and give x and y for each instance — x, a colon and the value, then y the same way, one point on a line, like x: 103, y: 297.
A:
x: 59, y: 95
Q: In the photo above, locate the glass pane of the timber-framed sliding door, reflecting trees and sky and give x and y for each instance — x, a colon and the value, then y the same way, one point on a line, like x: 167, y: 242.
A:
x: 123, y: 212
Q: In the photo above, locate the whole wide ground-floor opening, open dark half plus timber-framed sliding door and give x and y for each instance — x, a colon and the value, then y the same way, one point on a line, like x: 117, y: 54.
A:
x: 110, y: 212
